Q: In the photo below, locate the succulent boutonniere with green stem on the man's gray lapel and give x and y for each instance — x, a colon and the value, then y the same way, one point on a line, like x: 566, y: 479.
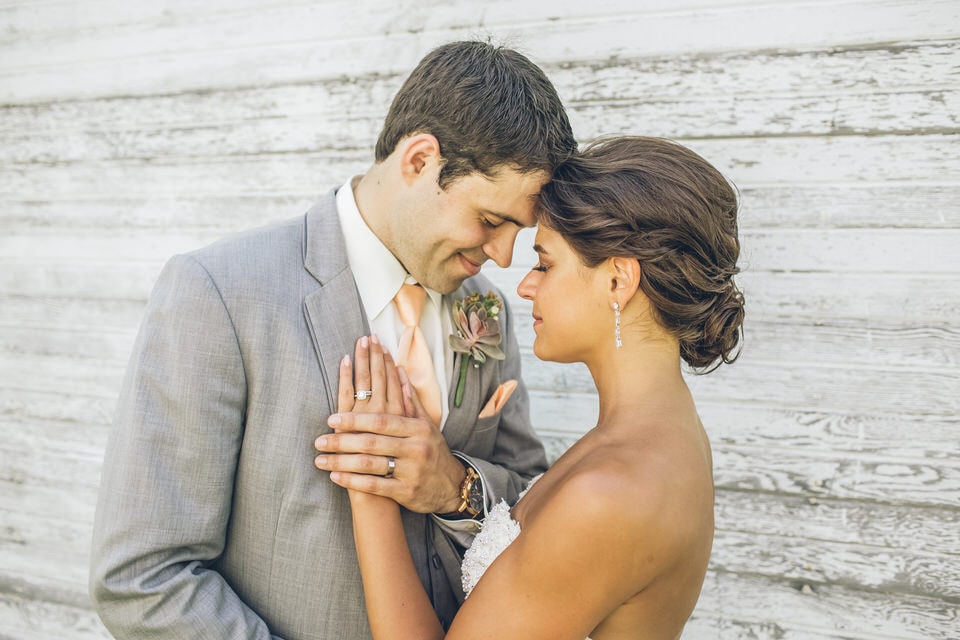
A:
x: 477, y: 335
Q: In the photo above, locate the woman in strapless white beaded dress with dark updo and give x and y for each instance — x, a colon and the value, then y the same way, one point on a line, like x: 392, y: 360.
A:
x: 637, y: 247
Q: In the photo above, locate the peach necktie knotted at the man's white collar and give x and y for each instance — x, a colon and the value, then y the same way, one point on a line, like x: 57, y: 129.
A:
x: 413, y: 353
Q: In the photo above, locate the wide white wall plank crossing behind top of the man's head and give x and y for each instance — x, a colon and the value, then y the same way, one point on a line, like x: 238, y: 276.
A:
x: 302, y: 43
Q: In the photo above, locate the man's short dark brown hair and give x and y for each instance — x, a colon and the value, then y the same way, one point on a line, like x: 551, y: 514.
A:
x: 488, y: 106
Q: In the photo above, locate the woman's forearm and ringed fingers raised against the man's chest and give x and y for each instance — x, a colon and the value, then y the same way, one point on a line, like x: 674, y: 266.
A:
x: 397, y: 605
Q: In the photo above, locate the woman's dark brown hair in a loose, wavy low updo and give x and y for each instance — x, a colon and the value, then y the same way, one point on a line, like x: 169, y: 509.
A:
x: 657, y: 201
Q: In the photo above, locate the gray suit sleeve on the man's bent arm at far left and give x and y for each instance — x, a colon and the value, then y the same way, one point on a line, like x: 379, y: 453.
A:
x: 167, y: 480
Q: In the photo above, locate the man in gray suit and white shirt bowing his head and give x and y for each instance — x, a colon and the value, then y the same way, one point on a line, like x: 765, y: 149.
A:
x: 212, y: 520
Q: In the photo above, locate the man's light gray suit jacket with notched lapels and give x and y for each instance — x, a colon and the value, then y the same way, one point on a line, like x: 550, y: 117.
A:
x: 212, y: 521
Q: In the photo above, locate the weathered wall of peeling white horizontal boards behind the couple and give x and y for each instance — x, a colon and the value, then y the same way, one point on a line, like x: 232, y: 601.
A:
x: 134, y: 129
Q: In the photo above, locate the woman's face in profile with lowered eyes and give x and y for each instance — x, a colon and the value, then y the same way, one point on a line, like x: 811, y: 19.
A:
x: 571, y: 306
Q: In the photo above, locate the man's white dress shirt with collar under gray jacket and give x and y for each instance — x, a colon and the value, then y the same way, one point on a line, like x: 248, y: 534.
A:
x: 379, y: 275
